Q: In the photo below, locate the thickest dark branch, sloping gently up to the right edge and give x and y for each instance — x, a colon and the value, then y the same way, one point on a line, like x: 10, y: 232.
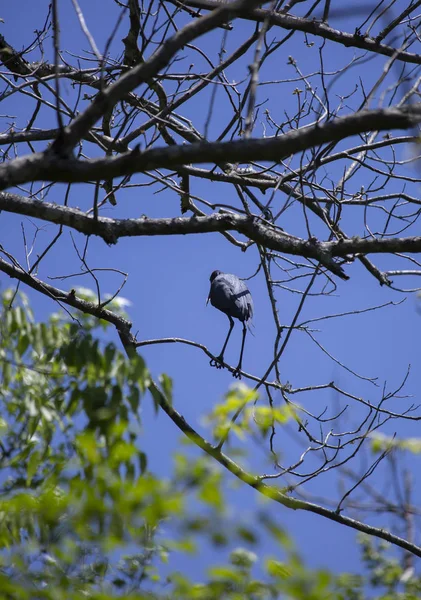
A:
x: 47, y: 166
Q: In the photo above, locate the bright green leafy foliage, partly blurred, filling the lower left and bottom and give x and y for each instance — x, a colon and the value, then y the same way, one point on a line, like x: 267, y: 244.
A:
x: 81, y: 514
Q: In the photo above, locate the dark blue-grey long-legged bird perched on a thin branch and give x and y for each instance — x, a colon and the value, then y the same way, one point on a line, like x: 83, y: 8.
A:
x: 231, y: 296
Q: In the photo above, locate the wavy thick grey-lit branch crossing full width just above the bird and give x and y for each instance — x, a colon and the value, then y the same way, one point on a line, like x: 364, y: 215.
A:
x: 110, y: 230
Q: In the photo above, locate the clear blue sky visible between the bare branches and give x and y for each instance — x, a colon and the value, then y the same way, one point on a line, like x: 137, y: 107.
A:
x: 169, y: 282
